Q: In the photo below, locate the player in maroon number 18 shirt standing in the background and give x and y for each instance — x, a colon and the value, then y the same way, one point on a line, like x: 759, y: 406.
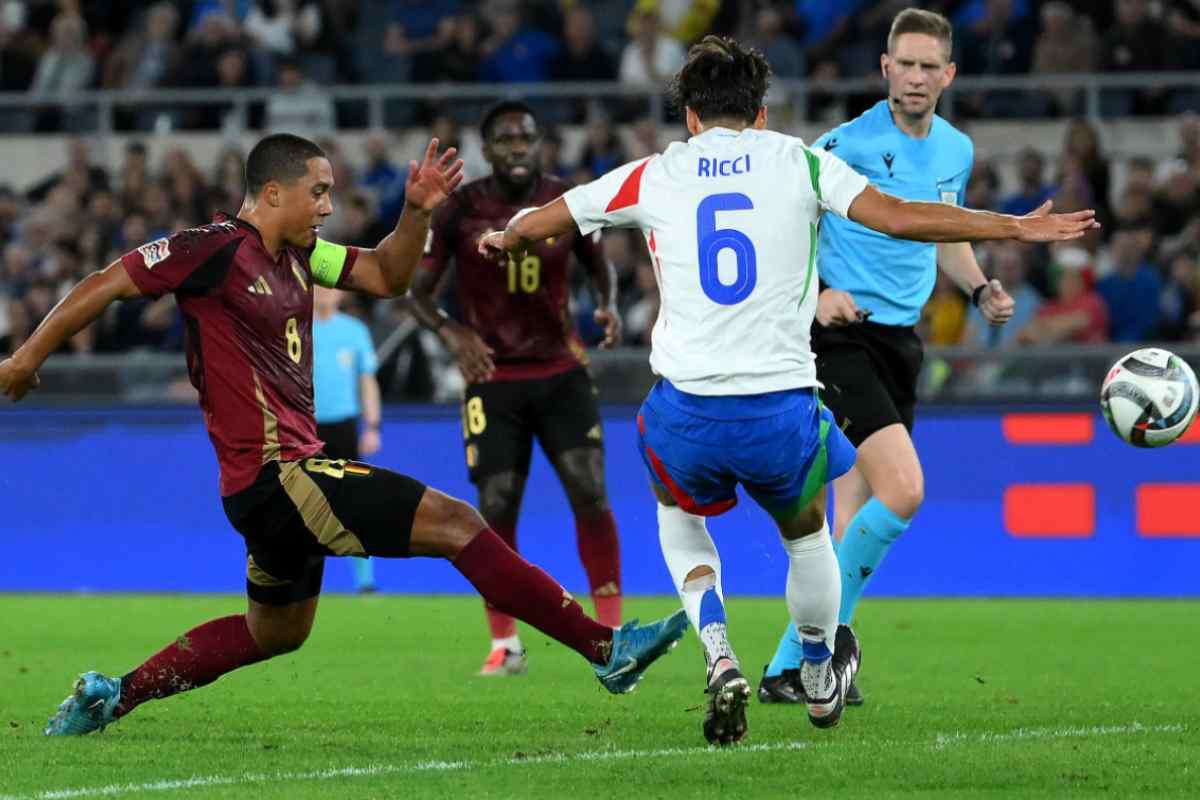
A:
x: 525, y: 366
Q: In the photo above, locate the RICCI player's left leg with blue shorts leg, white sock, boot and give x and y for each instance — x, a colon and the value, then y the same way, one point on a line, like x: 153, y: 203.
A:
x: 689, y: 489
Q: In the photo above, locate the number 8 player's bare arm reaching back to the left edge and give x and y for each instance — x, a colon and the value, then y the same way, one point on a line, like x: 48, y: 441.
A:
x: 87, y: 302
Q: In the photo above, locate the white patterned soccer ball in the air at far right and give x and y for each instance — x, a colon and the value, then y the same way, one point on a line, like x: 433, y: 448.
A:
x: 1150, y: 398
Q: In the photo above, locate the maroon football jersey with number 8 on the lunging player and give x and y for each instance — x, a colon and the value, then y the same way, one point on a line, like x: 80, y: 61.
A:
x: 249, y: 333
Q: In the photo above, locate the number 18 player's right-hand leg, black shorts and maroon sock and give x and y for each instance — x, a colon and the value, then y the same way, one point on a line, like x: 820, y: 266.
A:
x: 571, y: 432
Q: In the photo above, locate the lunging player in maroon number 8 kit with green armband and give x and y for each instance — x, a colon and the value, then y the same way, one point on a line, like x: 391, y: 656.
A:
x: 244, y: 287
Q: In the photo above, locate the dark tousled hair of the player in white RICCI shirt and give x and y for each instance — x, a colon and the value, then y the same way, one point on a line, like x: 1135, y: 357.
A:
x: 722, y: 80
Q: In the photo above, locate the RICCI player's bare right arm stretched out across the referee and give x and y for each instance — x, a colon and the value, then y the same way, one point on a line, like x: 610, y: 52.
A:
x: 949, y: 224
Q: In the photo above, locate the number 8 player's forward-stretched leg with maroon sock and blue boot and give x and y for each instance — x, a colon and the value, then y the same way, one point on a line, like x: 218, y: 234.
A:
x: 380, y: 513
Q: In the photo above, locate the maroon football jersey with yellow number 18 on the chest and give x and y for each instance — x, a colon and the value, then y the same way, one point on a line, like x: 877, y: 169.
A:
x: 518, y: 308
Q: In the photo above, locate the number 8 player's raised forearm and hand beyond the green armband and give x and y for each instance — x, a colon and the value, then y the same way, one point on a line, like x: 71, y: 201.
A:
x: 387, y: 270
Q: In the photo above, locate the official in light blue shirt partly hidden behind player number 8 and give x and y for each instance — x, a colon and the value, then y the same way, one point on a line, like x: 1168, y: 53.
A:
x: 346, y: 393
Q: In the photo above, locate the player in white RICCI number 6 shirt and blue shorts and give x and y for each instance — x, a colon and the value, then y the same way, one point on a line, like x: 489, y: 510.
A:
x: 724, y: 216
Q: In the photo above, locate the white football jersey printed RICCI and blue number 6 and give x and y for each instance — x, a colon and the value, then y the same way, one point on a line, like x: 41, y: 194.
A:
x: 731, y: 224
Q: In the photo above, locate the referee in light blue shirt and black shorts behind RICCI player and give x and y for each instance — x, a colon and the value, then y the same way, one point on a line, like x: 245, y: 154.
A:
x: 869, y: 368
